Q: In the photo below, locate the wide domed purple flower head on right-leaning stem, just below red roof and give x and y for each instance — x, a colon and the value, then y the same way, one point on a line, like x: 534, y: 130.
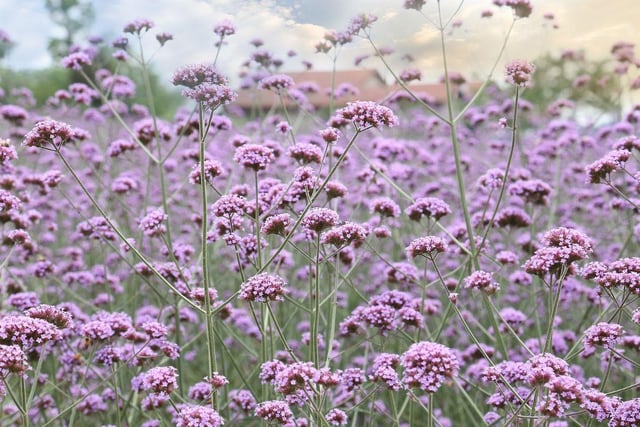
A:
x: 365, y: 115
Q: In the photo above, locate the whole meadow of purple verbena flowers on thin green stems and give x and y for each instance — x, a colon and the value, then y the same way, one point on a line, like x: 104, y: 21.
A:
x: 391, y: 263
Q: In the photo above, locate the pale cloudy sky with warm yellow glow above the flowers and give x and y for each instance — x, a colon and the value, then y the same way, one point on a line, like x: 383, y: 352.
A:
x: 589, y: 25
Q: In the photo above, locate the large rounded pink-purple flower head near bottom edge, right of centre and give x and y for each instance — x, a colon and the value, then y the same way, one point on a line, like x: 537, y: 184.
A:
x: 427, y: 365
